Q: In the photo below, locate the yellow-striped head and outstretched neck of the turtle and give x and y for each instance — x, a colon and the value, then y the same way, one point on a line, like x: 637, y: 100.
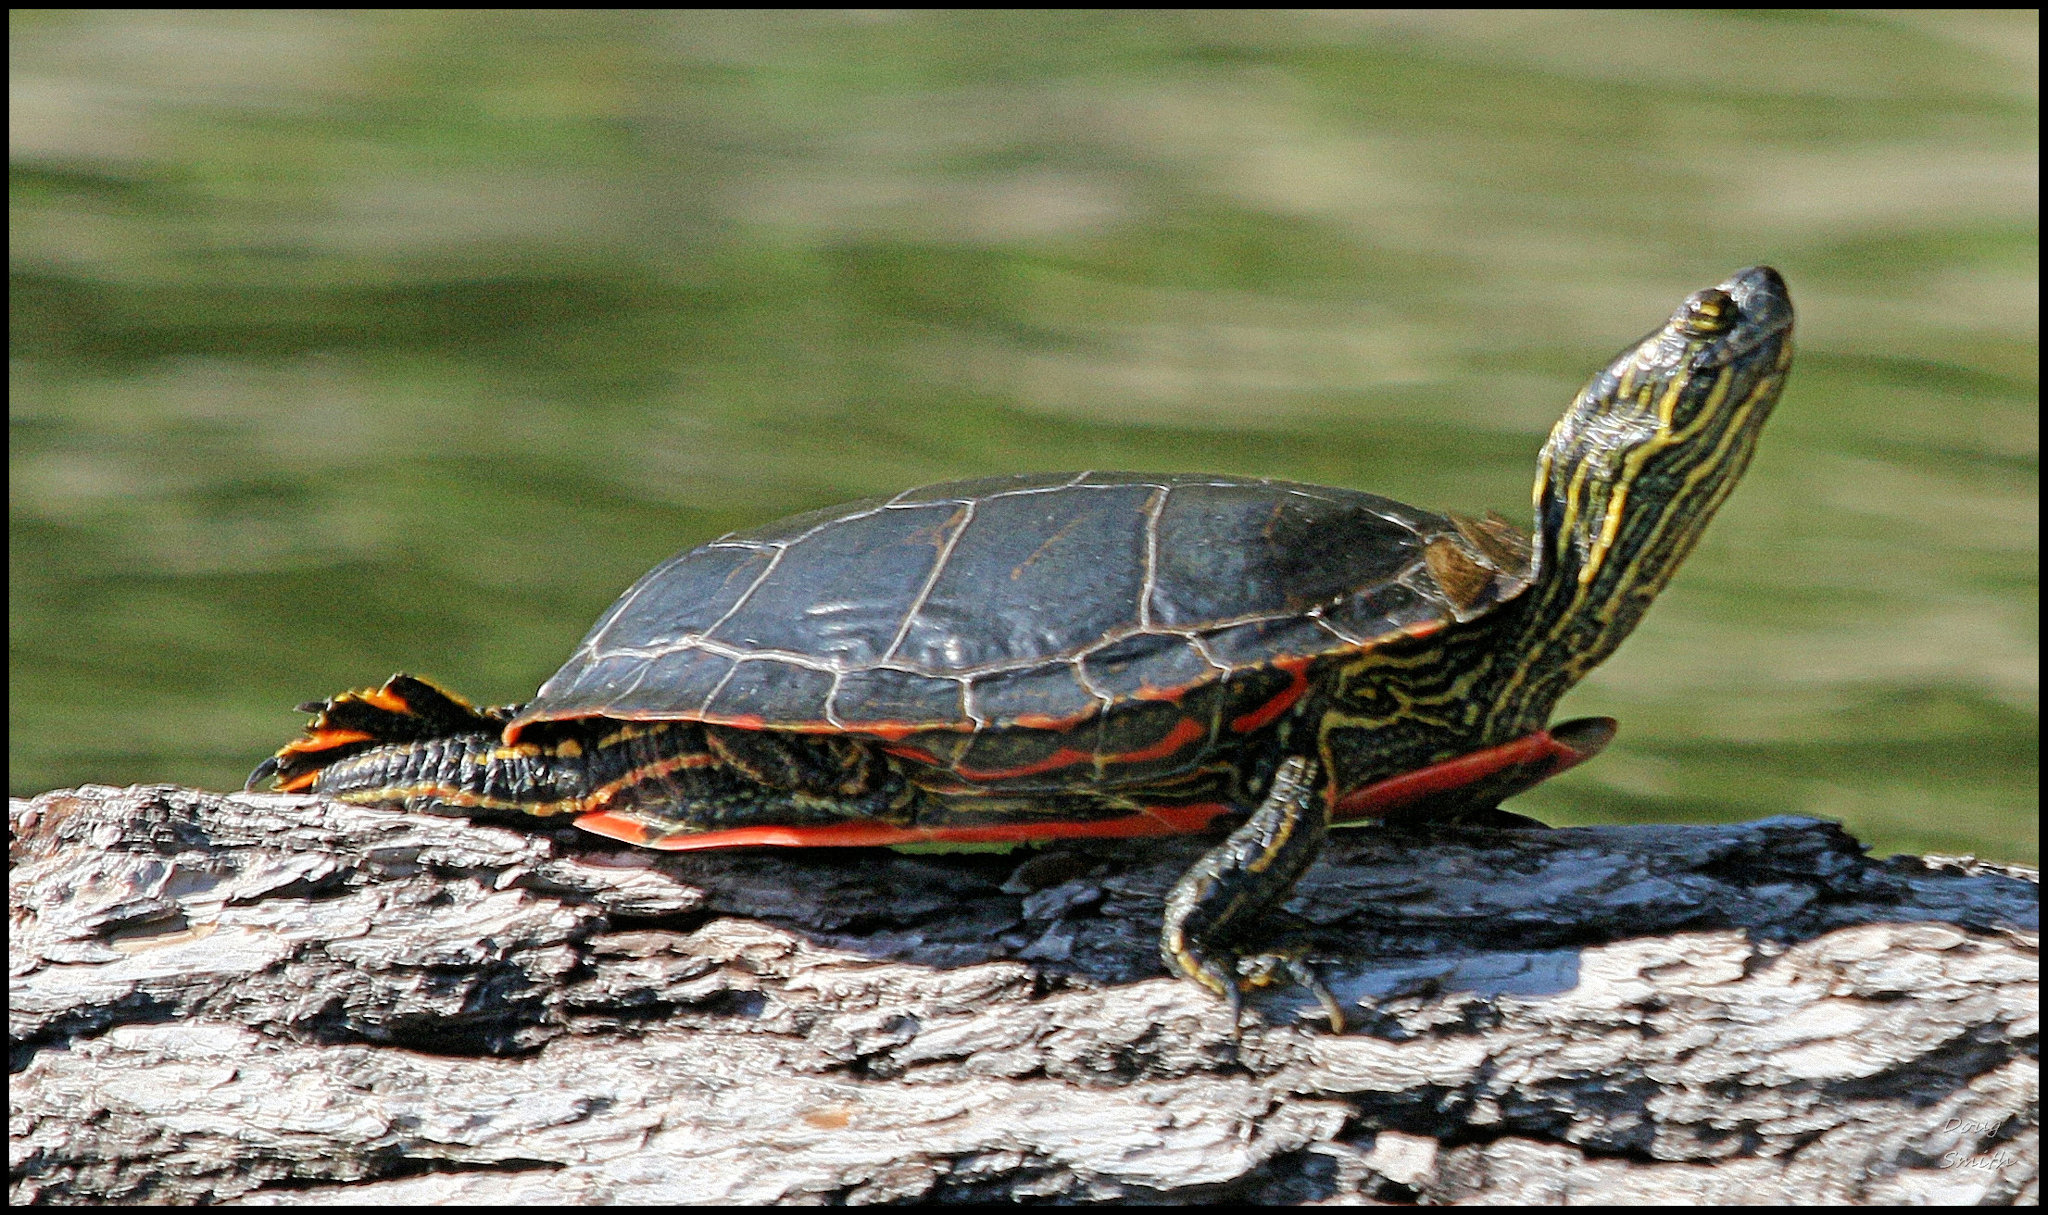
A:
x: 1637, y: 468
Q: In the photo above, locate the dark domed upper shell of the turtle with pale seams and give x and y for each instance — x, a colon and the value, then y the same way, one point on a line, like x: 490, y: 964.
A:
x: 1021, y: 603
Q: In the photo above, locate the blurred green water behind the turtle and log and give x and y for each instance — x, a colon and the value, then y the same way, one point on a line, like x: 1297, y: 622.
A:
x: 349, y: 343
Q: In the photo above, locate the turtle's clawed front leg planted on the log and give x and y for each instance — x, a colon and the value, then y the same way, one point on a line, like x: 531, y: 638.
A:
x: 1238, y: 882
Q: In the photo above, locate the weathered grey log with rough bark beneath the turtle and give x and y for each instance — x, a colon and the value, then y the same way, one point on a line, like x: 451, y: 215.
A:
x: 284, y: 999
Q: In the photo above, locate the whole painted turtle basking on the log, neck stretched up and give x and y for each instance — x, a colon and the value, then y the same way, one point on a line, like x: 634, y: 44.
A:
x: 1103, y: 655
